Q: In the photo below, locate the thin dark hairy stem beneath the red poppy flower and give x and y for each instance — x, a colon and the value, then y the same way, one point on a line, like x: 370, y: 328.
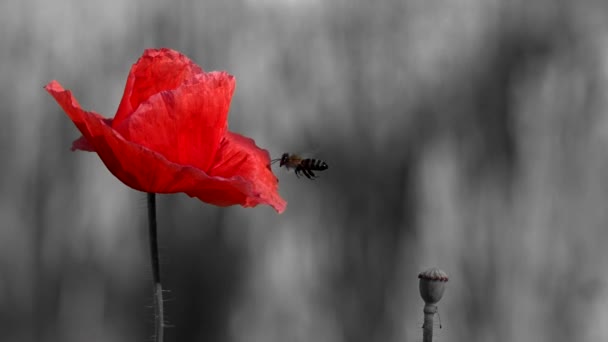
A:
x: 159, y: 322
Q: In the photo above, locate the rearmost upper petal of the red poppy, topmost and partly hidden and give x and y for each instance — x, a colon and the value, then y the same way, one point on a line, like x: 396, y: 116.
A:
x: 155, y: 71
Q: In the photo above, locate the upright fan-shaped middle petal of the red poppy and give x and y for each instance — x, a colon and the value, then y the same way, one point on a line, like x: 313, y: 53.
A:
x: 184, y: 125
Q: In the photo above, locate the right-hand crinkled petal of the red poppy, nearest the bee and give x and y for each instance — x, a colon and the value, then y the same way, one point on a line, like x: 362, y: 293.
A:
x: 240, y: 158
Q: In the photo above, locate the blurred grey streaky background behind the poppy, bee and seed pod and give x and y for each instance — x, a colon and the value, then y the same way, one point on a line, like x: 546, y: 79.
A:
x: 471, y: 135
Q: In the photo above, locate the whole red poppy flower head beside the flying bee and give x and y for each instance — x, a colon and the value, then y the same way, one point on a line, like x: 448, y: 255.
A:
x: 170, y: 134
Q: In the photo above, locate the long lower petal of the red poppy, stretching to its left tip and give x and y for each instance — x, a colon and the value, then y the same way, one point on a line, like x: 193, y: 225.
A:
x: 146, y: 170
